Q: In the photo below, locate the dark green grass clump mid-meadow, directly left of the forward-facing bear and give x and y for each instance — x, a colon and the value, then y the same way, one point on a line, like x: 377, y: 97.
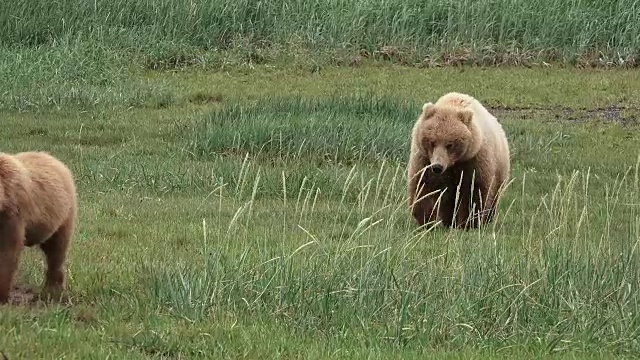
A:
x: 338, y: 130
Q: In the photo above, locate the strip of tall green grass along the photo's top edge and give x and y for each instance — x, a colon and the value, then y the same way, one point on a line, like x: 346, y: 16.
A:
x: 448, y: 31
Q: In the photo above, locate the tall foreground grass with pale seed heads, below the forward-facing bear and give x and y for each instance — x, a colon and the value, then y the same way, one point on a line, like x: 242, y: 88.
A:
x: 560, y: 270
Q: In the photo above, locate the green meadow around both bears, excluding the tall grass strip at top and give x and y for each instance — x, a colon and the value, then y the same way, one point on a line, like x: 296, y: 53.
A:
x: 261, y: 214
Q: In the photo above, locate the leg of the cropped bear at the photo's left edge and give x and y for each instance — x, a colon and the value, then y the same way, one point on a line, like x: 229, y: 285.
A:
x: 11, y: 245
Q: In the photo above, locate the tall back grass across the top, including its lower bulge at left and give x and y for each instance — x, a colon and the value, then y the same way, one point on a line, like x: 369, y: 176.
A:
x: 81, y: 53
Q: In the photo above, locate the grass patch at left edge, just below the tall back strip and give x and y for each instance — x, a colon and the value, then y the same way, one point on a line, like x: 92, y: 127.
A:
x: 72, y: 75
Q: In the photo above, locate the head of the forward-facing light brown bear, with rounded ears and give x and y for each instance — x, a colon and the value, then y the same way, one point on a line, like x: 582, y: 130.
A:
x: 447, y: 136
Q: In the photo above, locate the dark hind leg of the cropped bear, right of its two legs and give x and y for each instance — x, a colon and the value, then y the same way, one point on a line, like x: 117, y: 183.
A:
x: 55, y: 251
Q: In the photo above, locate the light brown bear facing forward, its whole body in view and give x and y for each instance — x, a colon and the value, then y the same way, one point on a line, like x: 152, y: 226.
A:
x: 459, y: 163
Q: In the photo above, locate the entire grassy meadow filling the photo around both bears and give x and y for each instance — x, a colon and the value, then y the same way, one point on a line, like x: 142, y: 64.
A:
x: 241, y: 172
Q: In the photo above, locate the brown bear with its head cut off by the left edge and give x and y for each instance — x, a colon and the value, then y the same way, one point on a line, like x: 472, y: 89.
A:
x: 37, y: 207
